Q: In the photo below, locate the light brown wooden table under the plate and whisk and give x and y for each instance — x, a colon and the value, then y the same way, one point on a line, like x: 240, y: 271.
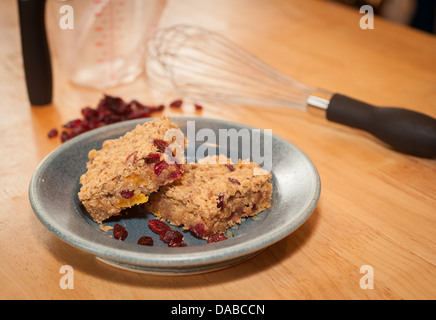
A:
x: 377, y: 206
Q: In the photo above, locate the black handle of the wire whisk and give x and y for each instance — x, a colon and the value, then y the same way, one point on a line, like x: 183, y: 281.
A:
x: 405, y: 130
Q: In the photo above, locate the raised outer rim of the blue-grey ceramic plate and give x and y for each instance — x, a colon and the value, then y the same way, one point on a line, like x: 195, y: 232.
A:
x: 197, y: 257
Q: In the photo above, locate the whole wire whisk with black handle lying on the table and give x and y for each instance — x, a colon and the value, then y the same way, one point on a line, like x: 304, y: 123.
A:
x: 203, y: 66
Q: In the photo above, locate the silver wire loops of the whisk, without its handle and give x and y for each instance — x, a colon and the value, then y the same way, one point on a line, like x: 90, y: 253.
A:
x: 202, y: 65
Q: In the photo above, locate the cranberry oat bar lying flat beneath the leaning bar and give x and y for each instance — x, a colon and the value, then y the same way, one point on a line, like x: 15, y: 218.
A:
x: 210, y: 198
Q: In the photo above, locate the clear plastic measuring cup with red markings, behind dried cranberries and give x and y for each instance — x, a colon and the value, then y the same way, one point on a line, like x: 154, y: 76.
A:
x: 101, y: 43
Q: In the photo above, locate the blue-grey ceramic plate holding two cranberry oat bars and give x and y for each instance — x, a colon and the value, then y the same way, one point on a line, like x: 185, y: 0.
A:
x: 53, y: 195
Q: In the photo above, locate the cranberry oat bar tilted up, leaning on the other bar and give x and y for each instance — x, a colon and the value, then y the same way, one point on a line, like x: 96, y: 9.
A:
x: 126, y: 170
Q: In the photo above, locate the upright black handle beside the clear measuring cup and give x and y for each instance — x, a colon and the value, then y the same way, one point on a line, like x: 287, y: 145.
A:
x: 36, y: 54
